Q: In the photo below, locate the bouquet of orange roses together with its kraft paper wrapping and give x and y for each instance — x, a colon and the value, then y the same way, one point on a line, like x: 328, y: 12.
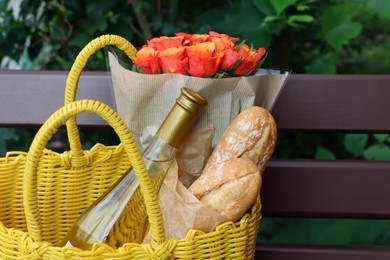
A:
x: 219, y: 67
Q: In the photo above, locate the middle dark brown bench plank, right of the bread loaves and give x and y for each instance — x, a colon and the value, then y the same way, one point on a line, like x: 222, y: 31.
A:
x: 309, y: 188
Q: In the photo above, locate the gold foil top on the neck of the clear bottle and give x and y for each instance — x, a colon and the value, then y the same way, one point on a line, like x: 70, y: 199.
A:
x: 181, y: 117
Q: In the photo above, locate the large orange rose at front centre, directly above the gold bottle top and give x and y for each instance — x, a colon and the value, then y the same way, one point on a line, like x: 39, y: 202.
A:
x: 203, y: 61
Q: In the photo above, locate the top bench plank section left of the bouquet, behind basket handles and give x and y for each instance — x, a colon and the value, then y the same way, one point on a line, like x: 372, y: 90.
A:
x: 30, y: 97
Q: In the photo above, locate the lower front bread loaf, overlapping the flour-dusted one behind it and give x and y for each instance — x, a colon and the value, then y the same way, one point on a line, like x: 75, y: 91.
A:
x: 231, y: 187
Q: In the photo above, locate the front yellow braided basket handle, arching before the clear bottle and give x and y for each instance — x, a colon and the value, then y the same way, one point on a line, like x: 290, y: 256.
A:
x: 59, y: 118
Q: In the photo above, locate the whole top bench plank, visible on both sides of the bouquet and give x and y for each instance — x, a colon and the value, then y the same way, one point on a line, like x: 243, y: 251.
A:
x: 307, y: 102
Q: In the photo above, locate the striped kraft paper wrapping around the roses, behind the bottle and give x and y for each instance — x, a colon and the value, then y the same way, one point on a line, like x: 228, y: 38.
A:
x: 143, y: 101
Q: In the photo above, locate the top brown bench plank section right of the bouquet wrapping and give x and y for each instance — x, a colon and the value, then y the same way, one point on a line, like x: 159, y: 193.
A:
x: 335, y: 102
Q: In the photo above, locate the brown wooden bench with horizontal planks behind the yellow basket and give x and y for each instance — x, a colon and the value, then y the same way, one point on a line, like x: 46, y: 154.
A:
x: 291, y: 188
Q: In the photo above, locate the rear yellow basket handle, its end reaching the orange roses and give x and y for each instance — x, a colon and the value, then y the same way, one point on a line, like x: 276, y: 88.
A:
x: 74, y: 76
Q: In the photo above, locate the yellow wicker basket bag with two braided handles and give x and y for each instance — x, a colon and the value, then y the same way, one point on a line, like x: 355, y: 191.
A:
x: 43, y: 192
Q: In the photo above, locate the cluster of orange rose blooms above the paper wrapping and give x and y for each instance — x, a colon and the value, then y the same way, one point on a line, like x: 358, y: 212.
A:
x: 199, y: 55
